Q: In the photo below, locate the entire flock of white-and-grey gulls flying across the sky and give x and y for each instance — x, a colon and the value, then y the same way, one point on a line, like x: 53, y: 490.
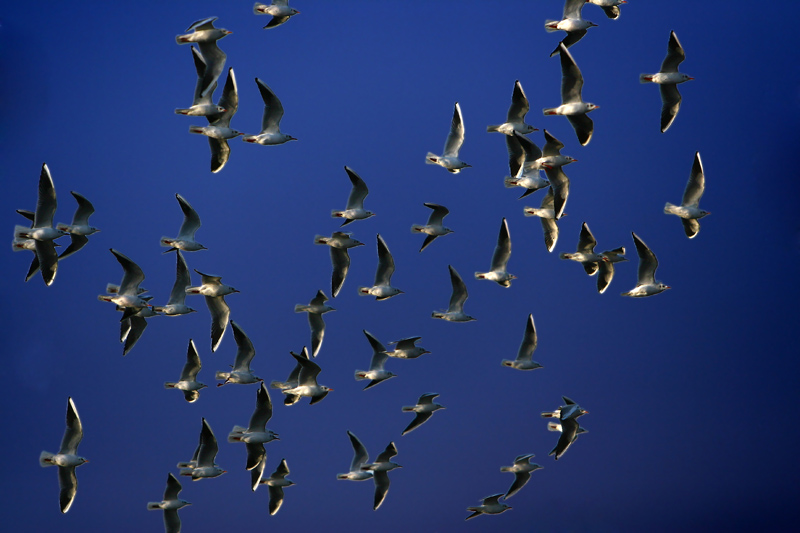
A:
x: 526, y: 162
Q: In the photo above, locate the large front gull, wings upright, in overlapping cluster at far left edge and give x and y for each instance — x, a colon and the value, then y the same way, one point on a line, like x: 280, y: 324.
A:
x: 42, y: 231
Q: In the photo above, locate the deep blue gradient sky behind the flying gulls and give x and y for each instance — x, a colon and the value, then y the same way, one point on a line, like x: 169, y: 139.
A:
x: 691, y: 393
